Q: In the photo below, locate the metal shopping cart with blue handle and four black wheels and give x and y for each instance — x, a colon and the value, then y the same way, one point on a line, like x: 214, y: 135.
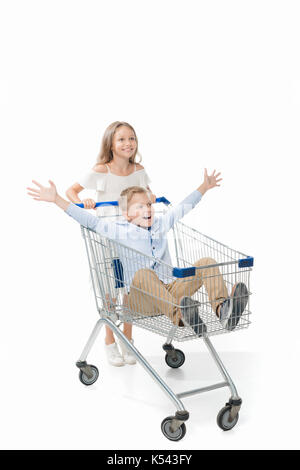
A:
x: 146, y: 310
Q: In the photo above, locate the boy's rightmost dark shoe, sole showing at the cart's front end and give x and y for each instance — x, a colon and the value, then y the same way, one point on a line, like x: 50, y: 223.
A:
x: 231, y: 310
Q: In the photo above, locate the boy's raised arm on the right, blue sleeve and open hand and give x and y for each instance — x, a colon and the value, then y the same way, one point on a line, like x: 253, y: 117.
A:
x: 179, y: 211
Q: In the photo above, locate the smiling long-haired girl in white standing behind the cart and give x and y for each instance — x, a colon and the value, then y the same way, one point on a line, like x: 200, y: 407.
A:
x: 115, y: 170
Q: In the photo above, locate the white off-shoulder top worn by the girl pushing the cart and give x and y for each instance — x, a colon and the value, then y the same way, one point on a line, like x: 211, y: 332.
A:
x: 109, y: 186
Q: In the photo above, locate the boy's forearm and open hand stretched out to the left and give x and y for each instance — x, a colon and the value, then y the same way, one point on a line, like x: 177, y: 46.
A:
x: 49, y: 194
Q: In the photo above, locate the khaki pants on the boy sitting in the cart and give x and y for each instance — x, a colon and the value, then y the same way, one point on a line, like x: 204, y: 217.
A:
x: 150, y: 296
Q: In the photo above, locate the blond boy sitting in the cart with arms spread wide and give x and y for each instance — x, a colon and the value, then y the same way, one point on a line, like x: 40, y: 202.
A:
x: 147, y: 273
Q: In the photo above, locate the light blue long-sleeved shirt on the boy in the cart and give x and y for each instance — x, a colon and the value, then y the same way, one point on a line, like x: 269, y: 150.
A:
x: 152, y: 242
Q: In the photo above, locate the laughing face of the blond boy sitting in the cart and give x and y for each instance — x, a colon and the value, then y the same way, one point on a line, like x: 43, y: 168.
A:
x: 140, y: 211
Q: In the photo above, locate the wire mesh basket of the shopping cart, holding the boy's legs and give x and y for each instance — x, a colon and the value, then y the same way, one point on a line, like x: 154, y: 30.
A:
x: 138, y: 295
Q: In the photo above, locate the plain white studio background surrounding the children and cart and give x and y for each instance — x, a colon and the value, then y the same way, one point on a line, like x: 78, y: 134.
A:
x: 211, y: 84
